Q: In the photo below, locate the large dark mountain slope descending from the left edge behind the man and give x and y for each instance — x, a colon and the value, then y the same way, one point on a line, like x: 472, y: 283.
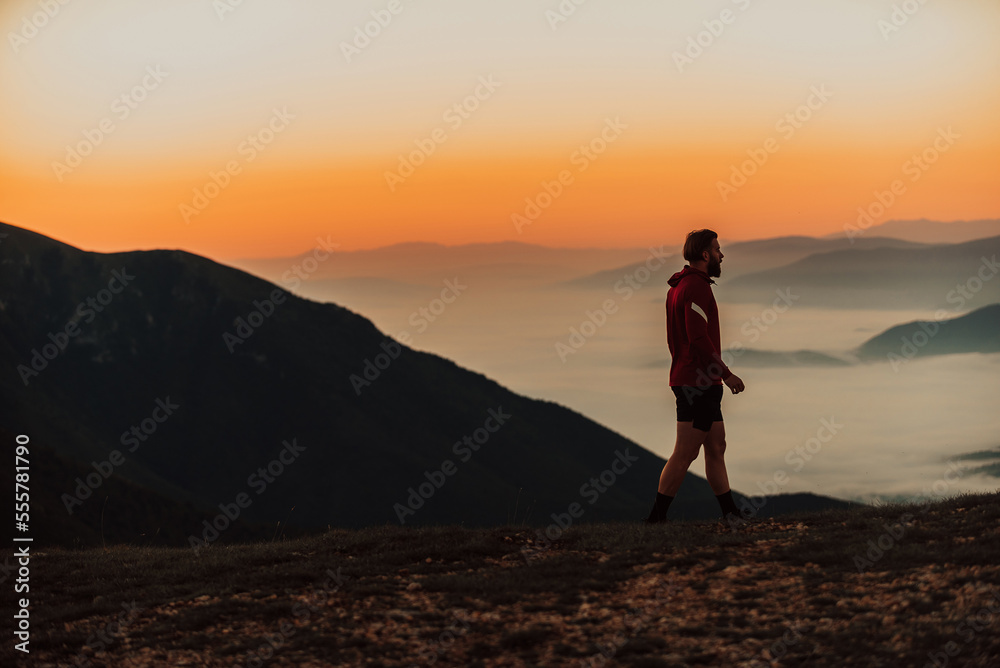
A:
x: 99, y: 364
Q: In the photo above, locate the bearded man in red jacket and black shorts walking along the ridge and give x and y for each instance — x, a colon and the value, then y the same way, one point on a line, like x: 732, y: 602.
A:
x: 697, y: 373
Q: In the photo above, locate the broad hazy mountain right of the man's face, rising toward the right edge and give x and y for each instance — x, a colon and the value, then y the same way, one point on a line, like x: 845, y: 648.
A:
x: 884, y: 277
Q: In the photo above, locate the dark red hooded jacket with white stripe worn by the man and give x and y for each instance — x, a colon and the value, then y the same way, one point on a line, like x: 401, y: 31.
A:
x: 693, y: 330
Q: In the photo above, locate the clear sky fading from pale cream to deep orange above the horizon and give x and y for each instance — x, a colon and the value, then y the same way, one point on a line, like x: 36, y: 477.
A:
x: 324, y: 172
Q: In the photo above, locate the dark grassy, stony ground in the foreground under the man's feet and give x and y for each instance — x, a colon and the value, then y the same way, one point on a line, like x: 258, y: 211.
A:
x: 895, y: 585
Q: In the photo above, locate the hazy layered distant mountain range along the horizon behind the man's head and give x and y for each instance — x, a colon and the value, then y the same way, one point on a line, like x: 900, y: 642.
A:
x: 380, y: 278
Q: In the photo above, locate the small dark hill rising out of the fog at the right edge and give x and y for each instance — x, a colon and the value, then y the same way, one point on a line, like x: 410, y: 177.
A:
x: 974, y: 332
